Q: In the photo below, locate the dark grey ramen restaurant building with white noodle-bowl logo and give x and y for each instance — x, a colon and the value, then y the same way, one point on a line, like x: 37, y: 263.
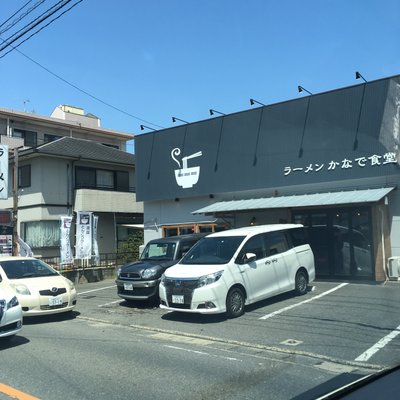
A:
x: 329, y: 161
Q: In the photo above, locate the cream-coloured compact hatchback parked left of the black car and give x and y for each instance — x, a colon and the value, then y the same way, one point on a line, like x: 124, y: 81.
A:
x: 40, y: 289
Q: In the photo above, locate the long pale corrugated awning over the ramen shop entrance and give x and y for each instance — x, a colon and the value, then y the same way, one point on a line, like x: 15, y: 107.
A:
x: 303, y: 200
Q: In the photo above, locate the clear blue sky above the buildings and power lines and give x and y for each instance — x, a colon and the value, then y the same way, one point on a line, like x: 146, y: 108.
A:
x: 161, y: 58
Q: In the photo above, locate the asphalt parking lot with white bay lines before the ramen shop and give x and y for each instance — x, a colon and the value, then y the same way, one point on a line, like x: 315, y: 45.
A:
x: 344, y: 322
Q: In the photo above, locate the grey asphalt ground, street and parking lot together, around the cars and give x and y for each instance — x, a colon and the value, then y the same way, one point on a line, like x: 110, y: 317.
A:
x: 285, y: 347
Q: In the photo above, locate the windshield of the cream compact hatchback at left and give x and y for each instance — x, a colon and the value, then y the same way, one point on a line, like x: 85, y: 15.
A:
x: 19, y: 269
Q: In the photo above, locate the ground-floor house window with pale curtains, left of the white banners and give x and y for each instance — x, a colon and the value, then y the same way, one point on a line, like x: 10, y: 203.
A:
x: 39, y: 234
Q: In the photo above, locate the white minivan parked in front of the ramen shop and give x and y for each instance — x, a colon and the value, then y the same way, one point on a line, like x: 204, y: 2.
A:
x: 227, y: 270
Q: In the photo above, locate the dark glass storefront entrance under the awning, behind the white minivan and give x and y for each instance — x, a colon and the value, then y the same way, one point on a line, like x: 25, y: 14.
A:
x: 341, y: 239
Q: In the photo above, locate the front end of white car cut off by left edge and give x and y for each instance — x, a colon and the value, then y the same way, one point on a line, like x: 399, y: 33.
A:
x: 10, y: 313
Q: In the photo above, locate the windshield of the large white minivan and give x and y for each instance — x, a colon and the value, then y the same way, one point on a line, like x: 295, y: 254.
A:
x: 213, y: 250
